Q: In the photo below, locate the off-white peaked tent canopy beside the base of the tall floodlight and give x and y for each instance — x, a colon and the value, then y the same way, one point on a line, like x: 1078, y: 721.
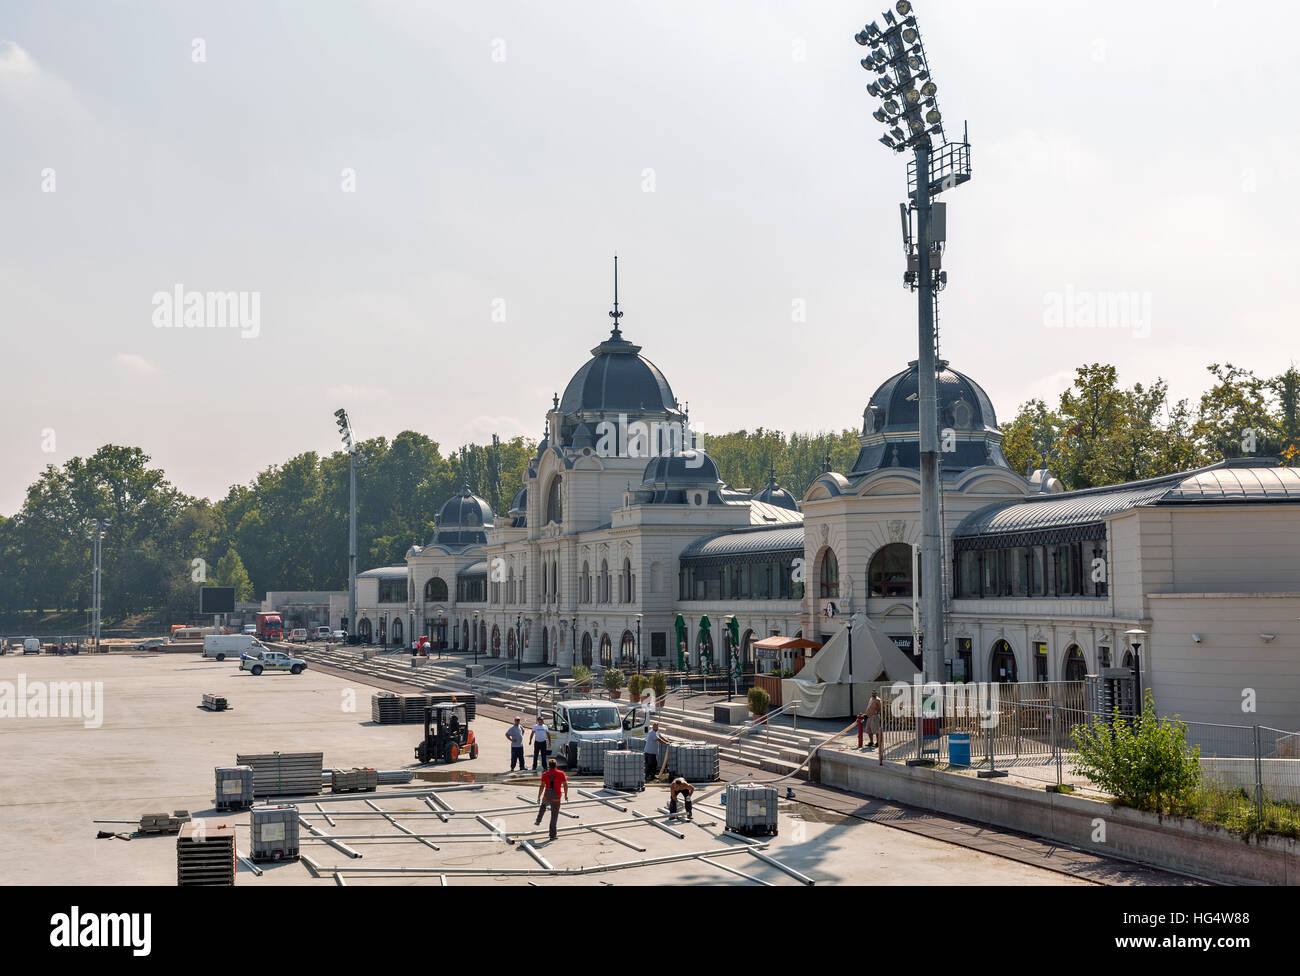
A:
x: 822, y: 687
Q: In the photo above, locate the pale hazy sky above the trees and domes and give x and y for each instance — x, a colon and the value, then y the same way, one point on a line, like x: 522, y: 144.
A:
x: 1142, y: 157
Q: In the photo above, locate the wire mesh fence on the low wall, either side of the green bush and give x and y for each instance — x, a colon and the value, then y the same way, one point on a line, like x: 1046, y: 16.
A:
x: 1250, y: 775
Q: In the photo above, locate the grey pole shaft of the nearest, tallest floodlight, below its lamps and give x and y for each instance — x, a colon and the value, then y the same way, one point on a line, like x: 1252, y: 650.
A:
x: 931, y: 552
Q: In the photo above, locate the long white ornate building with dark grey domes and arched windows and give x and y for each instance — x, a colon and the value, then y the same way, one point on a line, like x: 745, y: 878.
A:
x: 608, y: 556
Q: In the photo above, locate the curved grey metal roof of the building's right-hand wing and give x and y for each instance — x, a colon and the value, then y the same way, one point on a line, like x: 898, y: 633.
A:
x: 1020, y: 523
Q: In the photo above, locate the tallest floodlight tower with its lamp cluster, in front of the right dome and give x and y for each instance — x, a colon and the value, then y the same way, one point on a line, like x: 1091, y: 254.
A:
x: 911, y: 114
